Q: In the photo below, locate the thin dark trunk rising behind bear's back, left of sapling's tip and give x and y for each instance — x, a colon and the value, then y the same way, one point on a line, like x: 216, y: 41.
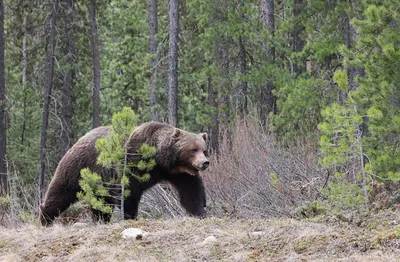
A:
x: 96, y: 65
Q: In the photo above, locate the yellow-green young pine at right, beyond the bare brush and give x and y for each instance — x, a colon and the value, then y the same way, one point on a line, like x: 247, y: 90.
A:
x: 341, y: 145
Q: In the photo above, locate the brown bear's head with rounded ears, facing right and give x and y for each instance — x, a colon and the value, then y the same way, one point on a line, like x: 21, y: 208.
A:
x: 191, y: 152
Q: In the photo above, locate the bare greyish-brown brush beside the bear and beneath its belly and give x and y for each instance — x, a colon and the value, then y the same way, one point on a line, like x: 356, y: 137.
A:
x: 252, y: 177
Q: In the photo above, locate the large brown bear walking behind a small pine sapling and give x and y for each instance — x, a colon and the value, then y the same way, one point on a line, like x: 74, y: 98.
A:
x: 180, y: 156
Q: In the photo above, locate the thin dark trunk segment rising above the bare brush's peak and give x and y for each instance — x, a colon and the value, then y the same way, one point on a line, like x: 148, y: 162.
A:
x: 242, y: 90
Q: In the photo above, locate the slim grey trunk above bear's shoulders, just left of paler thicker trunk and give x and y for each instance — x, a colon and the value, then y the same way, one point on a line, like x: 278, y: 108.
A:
x: 153, y: 30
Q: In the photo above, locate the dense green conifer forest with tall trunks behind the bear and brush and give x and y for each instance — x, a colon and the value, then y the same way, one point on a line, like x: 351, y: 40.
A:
x: 320, y: 74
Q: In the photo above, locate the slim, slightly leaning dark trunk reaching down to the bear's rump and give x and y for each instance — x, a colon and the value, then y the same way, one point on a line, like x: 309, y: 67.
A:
x: 47, y: 94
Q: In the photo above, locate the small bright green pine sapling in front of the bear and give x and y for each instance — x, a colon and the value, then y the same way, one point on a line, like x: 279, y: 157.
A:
x: 113, y: 155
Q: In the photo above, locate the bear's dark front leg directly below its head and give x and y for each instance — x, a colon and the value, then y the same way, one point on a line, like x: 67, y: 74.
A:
x: 191, y: 193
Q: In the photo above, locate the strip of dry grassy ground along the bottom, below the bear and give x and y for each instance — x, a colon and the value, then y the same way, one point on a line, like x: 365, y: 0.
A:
x: 377, y: 239
